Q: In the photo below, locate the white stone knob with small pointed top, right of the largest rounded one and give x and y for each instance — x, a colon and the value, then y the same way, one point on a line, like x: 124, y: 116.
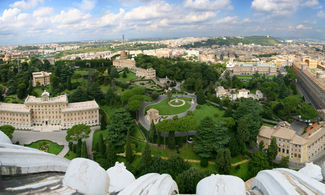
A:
x: 119, y: 177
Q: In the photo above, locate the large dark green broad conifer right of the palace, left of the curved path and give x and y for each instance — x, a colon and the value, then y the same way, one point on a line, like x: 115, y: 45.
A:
x: 120, y: 123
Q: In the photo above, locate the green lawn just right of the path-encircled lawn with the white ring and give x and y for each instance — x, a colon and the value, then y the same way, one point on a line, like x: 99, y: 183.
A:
x: 208, y: 111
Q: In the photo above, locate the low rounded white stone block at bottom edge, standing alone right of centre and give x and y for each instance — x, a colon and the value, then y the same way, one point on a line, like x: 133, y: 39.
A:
x: 221, y: 184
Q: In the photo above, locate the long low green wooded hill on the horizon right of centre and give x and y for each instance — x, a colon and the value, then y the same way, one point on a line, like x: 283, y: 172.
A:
x: 257, y: 40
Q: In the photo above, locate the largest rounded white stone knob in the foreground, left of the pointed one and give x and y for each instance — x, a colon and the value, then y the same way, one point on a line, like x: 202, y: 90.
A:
x: 87, y: 177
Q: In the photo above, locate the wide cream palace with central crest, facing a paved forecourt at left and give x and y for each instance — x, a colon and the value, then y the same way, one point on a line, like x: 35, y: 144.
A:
x: 49, y: 113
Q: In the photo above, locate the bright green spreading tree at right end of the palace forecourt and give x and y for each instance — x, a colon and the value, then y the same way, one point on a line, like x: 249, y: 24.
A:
x: 78, y: 132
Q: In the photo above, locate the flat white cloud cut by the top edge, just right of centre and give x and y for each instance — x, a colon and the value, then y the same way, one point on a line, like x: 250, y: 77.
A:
x: 207, y: 4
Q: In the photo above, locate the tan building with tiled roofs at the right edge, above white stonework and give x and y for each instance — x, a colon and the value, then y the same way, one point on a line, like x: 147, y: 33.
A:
x: 298, y: 148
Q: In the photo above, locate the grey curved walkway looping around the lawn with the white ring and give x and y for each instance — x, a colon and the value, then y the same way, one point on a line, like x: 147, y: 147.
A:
x: 142, y: 111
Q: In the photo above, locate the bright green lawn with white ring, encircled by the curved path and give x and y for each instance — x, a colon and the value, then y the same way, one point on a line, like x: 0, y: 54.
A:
x: 165, y: 109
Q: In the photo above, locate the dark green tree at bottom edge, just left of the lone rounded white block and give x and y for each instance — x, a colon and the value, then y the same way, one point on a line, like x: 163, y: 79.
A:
x: 188, y: 180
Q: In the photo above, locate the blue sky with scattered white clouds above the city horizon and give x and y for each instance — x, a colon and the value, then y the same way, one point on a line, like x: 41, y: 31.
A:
x: 44, y: 21
